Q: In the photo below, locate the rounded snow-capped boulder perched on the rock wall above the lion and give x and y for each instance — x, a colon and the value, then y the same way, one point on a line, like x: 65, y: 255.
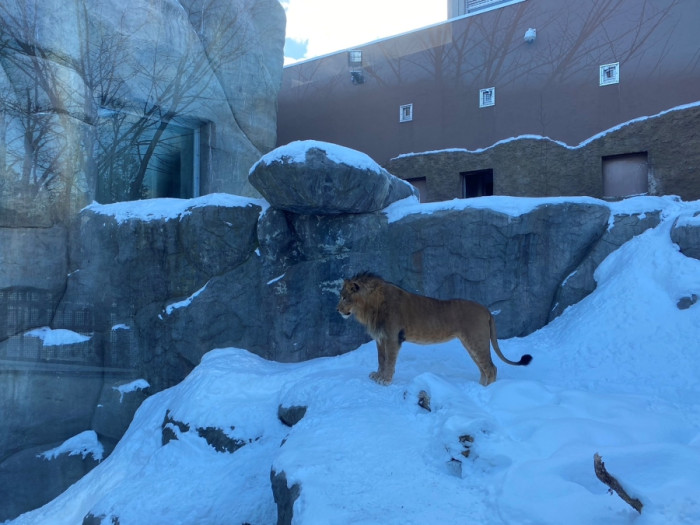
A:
x: 312, y: 177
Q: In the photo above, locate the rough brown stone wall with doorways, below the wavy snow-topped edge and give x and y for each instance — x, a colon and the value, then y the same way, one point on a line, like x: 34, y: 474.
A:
x: 541, y: 167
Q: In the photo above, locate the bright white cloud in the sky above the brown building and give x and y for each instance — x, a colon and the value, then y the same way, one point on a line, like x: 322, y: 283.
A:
x: 333, y: 25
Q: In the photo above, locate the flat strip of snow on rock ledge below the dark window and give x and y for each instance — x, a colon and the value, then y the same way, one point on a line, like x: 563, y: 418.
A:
x: 168, y: 208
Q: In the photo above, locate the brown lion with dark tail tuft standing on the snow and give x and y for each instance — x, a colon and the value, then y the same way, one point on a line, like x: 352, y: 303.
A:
x: 392, y: 315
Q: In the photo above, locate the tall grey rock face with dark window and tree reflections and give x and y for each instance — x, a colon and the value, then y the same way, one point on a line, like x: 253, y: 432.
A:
x: 84, y: 81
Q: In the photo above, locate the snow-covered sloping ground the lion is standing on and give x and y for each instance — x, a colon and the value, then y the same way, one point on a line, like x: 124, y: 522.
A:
x: 617, y: 374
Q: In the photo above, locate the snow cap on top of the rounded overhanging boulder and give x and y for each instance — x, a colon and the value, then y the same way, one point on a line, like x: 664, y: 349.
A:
x: 295, y: 153
